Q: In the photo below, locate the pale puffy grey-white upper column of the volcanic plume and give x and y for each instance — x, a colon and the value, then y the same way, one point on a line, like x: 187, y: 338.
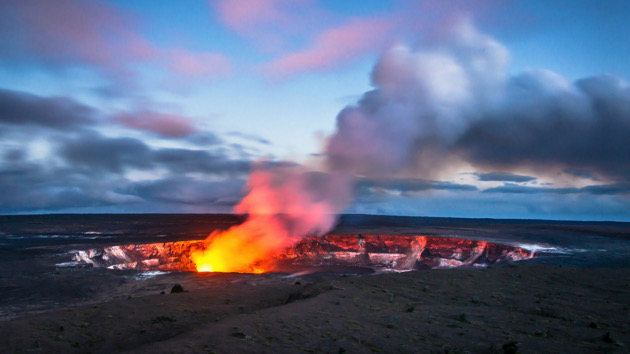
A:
x: 421, y: 102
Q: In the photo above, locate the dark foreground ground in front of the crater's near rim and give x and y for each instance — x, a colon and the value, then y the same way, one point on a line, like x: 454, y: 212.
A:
x: 502, y: 309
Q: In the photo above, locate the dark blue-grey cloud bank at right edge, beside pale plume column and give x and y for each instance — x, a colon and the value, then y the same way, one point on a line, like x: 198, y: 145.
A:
x: 583, y: 127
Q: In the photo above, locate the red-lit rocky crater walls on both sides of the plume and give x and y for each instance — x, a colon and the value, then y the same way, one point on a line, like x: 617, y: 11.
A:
x: 362, y: 250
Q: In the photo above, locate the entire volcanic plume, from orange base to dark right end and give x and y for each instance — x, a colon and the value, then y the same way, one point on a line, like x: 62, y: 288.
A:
x: 449, y: 102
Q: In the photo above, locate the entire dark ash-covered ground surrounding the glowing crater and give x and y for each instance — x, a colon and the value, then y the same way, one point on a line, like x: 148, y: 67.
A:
x: 574, y: 293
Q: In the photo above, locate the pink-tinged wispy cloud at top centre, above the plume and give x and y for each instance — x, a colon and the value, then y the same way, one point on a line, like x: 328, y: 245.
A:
x: 333, y: 39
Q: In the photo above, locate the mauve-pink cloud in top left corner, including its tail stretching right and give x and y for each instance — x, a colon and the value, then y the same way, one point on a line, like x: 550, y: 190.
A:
x: 70, y: 33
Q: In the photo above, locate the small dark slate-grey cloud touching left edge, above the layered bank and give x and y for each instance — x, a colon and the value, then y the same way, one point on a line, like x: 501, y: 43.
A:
x: 61, y: 113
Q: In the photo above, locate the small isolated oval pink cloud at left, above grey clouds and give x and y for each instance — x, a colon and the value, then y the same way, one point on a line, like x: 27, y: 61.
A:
x: 166, y: 125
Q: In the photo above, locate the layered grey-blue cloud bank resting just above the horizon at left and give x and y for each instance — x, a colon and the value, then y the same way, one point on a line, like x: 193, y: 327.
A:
x: 87, y: 171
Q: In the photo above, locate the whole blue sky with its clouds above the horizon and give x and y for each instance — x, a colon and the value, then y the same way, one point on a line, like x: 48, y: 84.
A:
x: 492, y: 109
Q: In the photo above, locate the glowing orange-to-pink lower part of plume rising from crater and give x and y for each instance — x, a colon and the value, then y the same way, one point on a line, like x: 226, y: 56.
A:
x: 284, y: 204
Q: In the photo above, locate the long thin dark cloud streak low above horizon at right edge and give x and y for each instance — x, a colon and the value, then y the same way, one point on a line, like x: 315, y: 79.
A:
x: 605, y: 189
